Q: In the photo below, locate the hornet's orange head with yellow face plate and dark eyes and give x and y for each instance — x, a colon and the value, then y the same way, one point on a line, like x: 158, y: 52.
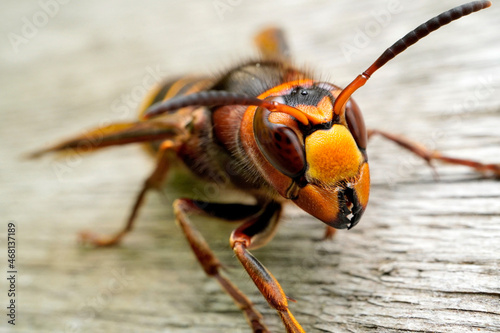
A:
x: 314, y: 157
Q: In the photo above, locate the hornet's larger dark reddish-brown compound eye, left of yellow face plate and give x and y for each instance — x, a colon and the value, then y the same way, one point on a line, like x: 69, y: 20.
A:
x: 279, y: 143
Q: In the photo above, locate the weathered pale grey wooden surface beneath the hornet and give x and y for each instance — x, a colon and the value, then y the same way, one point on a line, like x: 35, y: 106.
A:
x: 425, y: 257
